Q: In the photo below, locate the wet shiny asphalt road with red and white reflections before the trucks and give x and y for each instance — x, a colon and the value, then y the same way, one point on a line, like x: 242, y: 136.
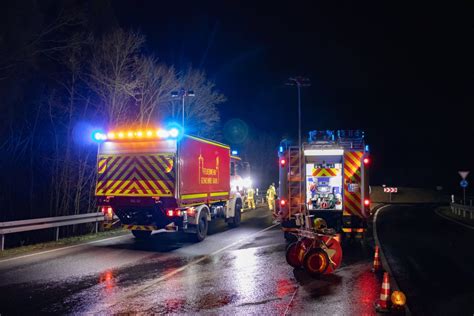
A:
x: 234, y: 271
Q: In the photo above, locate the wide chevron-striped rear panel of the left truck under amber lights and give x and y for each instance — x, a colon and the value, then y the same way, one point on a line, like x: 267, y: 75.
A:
x: 135, y: 175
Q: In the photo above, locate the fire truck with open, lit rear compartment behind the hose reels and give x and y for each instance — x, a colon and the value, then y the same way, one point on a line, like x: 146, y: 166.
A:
x: 328, y: 178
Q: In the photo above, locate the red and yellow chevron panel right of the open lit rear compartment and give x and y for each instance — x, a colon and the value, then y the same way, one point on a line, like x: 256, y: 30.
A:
x: 352, y: 174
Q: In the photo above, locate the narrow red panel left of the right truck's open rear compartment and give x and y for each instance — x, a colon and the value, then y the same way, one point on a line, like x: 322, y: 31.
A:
x: 295, y: 181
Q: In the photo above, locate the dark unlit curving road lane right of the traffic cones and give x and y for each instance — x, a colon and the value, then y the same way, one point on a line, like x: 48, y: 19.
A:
x: 432, y: 259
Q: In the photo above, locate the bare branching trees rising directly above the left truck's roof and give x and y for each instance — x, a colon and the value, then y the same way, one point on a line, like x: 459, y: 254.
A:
x: 135, y: 89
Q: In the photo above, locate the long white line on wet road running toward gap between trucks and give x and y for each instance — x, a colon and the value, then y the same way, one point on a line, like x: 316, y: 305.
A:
x: 123, y: 298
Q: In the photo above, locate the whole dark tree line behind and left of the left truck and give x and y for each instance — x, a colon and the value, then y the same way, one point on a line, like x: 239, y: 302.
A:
x: 62, y: 74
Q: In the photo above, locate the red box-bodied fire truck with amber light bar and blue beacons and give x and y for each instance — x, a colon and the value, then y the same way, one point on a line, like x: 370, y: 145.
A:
x: 159, y: 180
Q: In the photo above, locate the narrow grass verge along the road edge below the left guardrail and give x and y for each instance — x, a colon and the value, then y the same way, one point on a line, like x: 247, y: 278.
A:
x: 61, y: 243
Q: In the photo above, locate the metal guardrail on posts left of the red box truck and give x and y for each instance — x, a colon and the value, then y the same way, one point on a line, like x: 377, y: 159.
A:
x: 47, y: 222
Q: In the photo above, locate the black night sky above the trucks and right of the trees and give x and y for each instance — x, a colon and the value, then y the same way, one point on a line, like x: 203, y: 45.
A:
x: 403, y: 73
